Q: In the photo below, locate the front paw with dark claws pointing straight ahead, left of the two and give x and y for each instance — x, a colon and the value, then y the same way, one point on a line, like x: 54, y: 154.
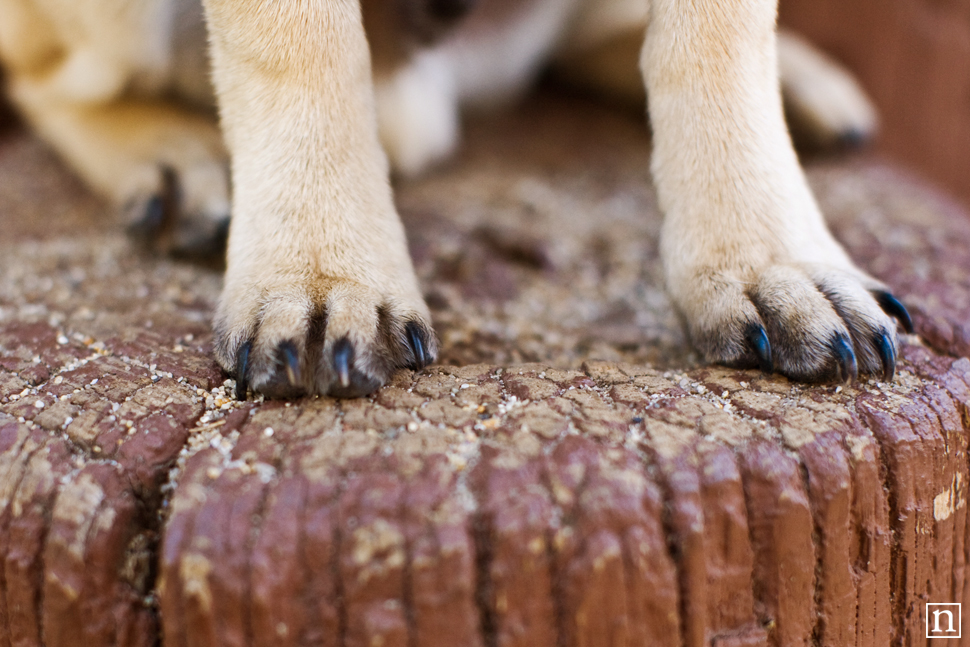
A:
x: 333, y: 337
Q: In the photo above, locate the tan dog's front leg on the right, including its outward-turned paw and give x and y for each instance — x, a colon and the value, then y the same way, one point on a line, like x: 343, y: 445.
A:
x: 747, y: 256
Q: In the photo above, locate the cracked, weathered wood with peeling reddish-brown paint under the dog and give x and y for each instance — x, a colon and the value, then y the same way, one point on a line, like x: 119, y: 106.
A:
x: 568, y: 476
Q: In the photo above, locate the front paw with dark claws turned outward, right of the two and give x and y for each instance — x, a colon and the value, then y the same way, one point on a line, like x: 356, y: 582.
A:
x: 810, y: 323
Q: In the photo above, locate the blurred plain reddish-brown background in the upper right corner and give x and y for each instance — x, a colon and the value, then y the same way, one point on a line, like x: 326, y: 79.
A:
x: 913, y: 57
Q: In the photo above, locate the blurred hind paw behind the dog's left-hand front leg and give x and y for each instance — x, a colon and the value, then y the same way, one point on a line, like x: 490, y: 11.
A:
x: 183, y: 213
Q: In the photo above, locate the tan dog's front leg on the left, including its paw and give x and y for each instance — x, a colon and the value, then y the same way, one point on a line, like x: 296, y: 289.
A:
x: 320, y: 295
